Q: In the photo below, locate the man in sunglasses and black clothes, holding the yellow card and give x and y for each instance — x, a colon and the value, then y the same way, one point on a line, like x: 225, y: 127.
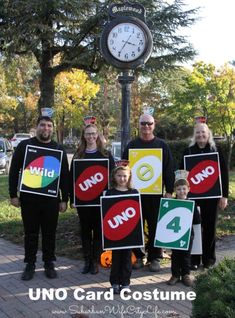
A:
x: 150, y: 202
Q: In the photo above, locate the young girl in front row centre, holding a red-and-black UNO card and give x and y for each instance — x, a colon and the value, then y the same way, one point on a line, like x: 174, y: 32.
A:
x: 121, y: 259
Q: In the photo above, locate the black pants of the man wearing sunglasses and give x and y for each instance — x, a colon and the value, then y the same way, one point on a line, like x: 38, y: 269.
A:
x: 150, y: 209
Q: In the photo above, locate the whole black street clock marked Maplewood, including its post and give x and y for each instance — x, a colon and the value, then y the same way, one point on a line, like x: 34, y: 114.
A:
x: 126, y: 43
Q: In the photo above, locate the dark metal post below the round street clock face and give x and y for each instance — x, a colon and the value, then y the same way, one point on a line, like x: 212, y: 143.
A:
x: 125, y: 80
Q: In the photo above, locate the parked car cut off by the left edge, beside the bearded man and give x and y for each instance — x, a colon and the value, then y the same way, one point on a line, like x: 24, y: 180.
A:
x: 6, y: 151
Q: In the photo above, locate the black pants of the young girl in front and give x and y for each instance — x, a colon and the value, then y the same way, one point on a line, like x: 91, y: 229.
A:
x: 121, y: 267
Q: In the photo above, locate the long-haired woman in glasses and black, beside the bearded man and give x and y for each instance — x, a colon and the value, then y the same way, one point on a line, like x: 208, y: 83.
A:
x: 90, y: 147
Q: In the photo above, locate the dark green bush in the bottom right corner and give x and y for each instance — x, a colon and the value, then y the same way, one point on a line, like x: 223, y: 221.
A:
x: 215, y: 292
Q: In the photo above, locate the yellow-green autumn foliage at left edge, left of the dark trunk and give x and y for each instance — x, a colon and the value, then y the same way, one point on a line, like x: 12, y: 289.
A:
x: 19, y: 88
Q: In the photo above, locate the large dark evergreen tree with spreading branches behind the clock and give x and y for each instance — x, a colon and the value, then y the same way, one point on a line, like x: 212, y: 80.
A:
x: 71, y: 29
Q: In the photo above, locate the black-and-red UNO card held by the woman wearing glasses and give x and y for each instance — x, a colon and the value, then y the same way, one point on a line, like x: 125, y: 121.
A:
x: 90, y: 180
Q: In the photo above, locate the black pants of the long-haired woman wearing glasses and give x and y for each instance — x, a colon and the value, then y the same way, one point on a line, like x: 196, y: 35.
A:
x: 90, y: 232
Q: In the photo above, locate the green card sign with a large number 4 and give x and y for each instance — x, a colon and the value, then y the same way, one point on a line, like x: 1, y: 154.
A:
x: 174, y: 224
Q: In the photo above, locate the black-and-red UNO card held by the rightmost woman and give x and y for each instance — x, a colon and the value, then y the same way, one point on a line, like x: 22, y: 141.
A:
x: 204, y: 175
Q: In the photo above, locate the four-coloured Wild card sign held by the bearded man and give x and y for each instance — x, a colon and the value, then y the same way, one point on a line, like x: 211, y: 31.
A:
x: 41, y: 171
